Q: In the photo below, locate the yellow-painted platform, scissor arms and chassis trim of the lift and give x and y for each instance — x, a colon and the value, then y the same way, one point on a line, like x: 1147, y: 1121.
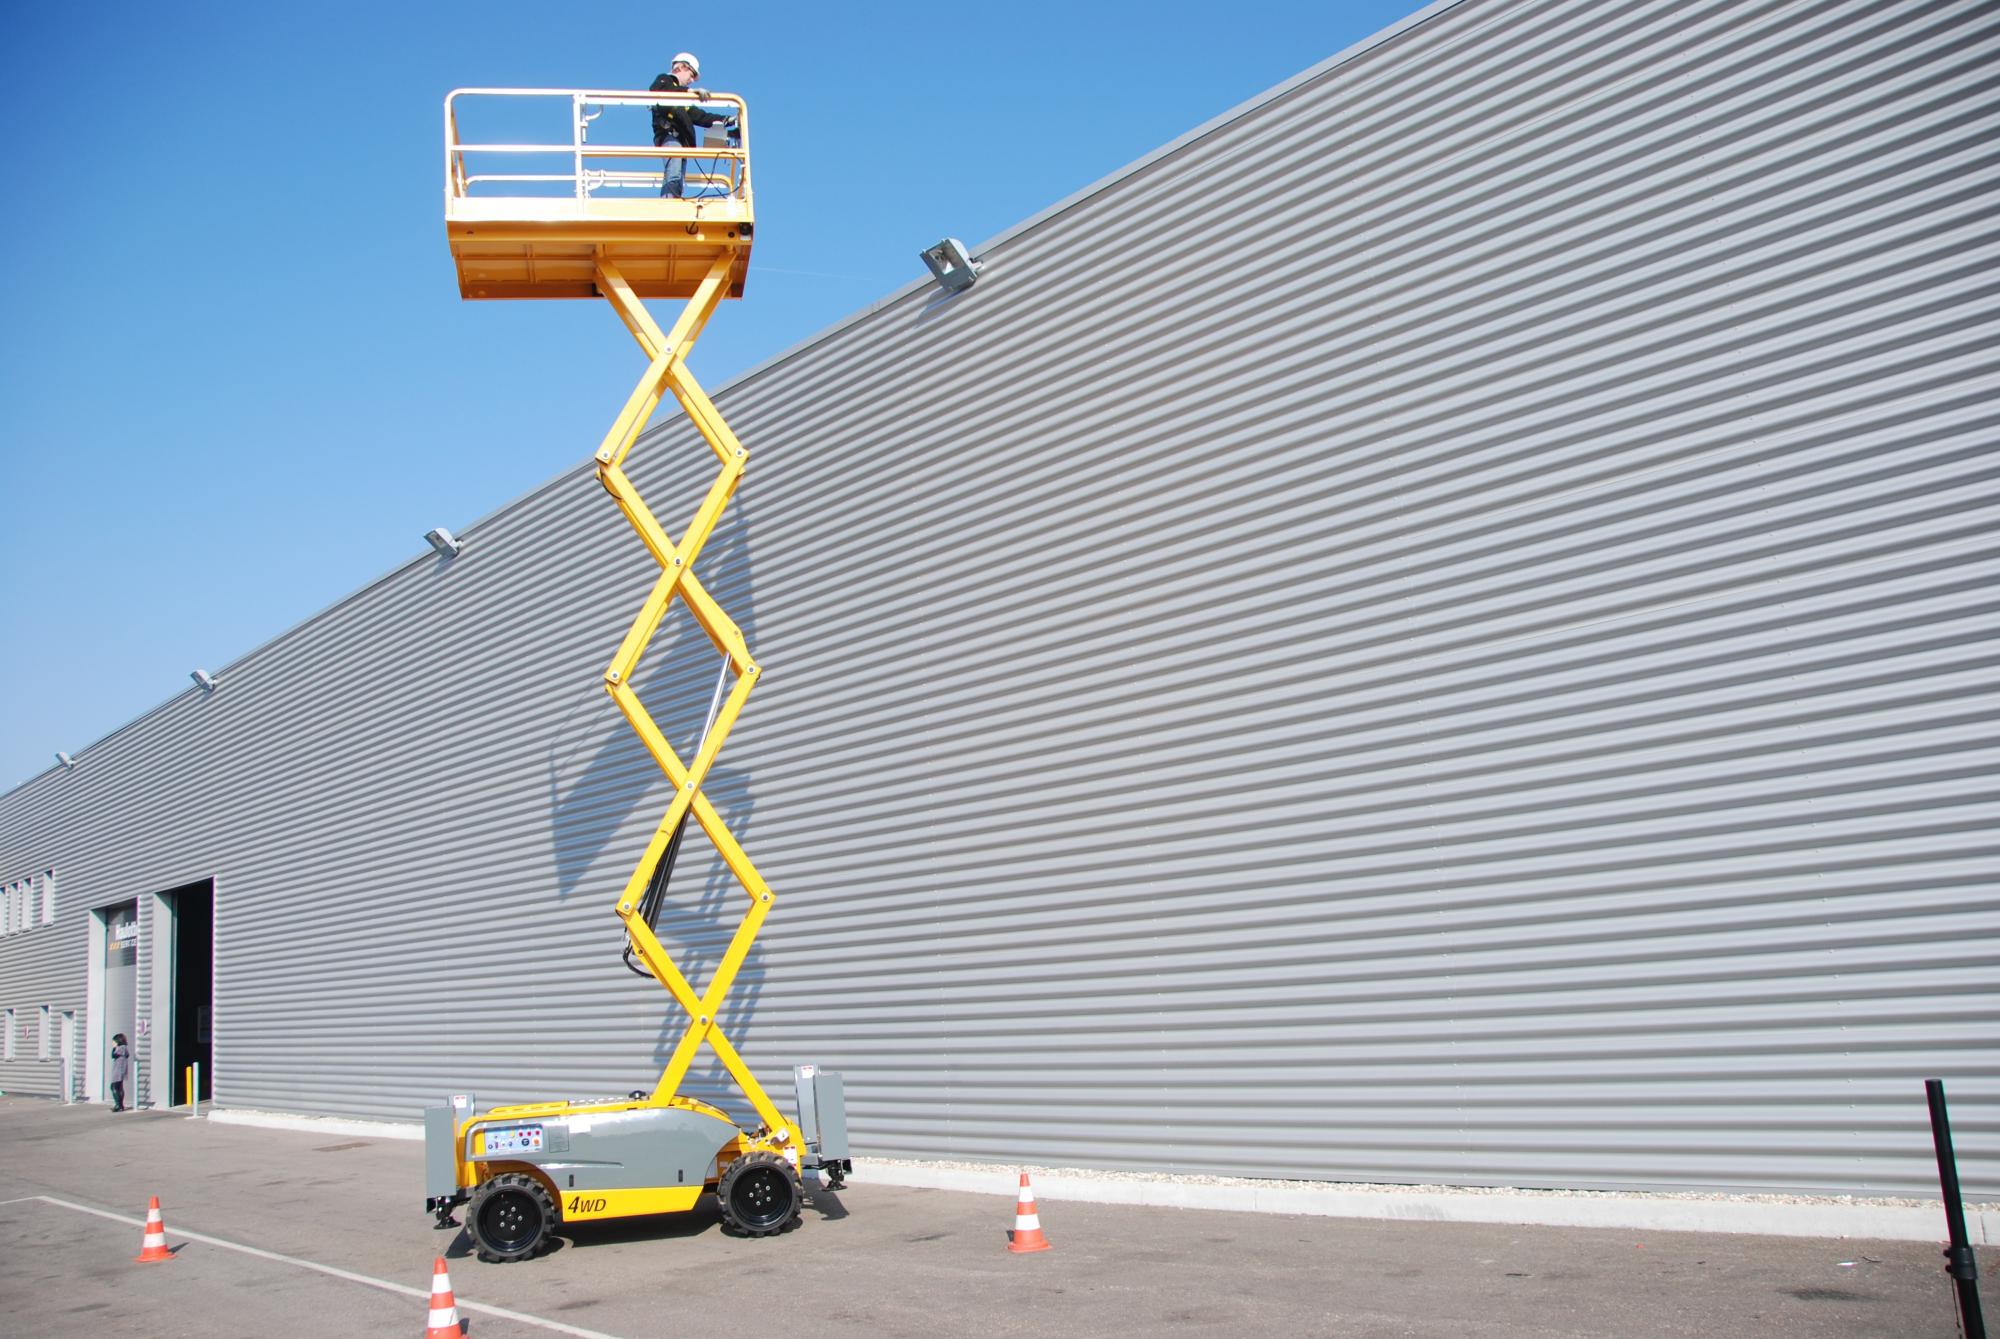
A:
x: 537, y: 249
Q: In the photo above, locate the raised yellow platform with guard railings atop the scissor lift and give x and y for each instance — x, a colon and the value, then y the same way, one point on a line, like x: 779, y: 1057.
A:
x: 545, y: 235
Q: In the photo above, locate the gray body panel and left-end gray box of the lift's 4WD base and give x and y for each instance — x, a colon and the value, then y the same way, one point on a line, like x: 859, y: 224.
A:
x: 591, y: 1152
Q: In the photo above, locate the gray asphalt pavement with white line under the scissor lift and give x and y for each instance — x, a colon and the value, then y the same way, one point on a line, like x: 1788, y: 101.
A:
x: 303, y: 1236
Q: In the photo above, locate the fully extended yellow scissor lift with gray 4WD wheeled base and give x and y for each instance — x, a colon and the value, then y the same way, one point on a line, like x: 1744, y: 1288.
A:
x: 595, y: 225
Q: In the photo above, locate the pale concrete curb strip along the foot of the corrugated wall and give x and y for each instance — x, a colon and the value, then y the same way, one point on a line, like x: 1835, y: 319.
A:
x: 1713, y: 1214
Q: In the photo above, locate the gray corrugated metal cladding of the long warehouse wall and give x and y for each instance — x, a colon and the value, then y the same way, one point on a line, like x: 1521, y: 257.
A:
x: 1437, y: 631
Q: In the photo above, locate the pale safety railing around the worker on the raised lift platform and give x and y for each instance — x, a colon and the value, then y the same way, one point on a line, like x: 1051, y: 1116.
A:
x: 495, y: 169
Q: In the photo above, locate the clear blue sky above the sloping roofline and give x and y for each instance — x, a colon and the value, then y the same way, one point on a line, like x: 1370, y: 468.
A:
x: 237, y: 381
